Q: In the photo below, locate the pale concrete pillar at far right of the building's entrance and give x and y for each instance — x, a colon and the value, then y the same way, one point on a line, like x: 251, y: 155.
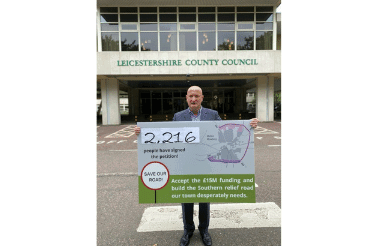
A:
x: 265, y: 98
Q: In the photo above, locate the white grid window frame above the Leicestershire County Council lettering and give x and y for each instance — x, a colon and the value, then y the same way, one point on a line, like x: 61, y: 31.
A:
x: 236, y: 11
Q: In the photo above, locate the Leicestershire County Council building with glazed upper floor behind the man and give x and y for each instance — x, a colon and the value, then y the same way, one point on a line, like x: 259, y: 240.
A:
x: 152, y: 51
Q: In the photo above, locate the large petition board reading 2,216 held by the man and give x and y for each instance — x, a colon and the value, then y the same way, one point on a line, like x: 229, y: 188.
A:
x: 201, y: 161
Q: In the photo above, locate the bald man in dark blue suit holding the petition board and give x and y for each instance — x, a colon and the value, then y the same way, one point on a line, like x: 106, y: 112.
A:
x: 196, y: 112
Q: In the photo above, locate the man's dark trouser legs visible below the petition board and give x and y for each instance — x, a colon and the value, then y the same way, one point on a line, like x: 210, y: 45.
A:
x: 204, y: 217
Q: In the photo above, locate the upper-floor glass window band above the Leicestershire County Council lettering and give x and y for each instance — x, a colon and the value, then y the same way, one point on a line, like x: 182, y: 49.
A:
x: 186, y: 28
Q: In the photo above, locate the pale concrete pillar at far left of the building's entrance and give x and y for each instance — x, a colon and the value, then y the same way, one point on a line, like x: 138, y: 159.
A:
x: 110, y: 90
